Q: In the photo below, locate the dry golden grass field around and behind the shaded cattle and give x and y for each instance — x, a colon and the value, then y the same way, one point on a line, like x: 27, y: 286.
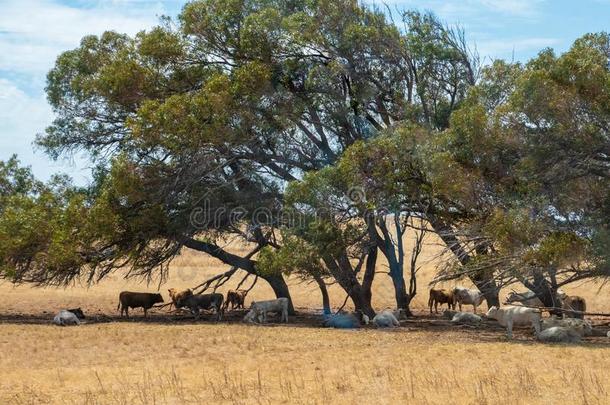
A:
x: 172, y: 359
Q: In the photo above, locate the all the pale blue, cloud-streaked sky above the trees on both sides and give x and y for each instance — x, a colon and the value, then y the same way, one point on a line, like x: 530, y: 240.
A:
x: 34, y: 32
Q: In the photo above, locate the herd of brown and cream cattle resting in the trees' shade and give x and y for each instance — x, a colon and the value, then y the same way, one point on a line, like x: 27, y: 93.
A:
x: 522, y: 309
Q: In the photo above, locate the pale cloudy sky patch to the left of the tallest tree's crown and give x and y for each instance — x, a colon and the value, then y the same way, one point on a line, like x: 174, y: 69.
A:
x: 32, y: 34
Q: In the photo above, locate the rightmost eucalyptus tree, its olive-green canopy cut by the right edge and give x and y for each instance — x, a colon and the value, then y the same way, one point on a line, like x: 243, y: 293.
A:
x: 529, y: 151
